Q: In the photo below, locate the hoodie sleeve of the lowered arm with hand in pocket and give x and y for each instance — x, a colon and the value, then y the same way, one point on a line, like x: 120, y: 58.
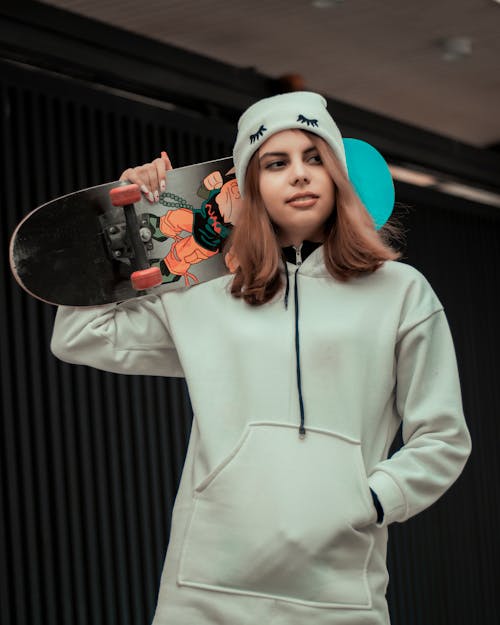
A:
x: 428, y: 400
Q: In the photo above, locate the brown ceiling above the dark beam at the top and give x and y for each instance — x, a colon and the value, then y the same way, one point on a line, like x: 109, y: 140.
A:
x: 379, y: 55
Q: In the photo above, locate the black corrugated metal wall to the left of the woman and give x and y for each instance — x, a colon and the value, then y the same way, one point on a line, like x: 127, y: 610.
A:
x: 90, y: 461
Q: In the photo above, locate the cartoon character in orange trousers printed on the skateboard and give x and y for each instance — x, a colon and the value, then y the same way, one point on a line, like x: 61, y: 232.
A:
x: 208, y: 226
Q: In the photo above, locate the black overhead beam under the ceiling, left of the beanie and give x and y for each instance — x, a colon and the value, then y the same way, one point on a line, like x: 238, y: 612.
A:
x: 96, y: 52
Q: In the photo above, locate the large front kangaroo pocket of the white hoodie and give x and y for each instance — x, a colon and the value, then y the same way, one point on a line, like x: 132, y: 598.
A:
x: 284, y: 517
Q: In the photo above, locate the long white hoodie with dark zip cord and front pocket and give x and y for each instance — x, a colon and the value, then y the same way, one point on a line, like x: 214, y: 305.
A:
x: 269, y: 527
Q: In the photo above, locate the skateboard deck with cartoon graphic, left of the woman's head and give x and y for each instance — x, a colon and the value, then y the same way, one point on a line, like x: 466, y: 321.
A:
x: 82, y: 250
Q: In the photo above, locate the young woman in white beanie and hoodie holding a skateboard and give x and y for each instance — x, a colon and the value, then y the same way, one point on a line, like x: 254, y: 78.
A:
x: 322, y: 344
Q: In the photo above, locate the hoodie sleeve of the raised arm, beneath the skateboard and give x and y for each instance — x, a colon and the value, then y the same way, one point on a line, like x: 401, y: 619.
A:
x: 131, y: 338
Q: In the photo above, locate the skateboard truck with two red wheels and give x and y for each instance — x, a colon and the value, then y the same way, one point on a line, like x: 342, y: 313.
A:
x: 128, y: 239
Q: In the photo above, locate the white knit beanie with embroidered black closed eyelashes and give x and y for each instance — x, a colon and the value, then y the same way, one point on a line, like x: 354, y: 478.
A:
x: 300, y: 109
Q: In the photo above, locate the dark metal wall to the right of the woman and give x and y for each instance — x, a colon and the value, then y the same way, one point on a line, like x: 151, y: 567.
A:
x: 442, y: 560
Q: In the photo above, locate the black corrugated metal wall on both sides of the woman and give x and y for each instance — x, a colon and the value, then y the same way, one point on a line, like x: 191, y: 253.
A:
x: 90, y: 461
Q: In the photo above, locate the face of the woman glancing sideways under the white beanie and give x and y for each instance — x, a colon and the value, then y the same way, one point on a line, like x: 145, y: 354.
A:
x: 297, y: 190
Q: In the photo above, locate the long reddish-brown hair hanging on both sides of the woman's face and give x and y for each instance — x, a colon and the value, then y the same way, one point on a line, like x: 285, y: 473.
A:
x: 352, y: 245
